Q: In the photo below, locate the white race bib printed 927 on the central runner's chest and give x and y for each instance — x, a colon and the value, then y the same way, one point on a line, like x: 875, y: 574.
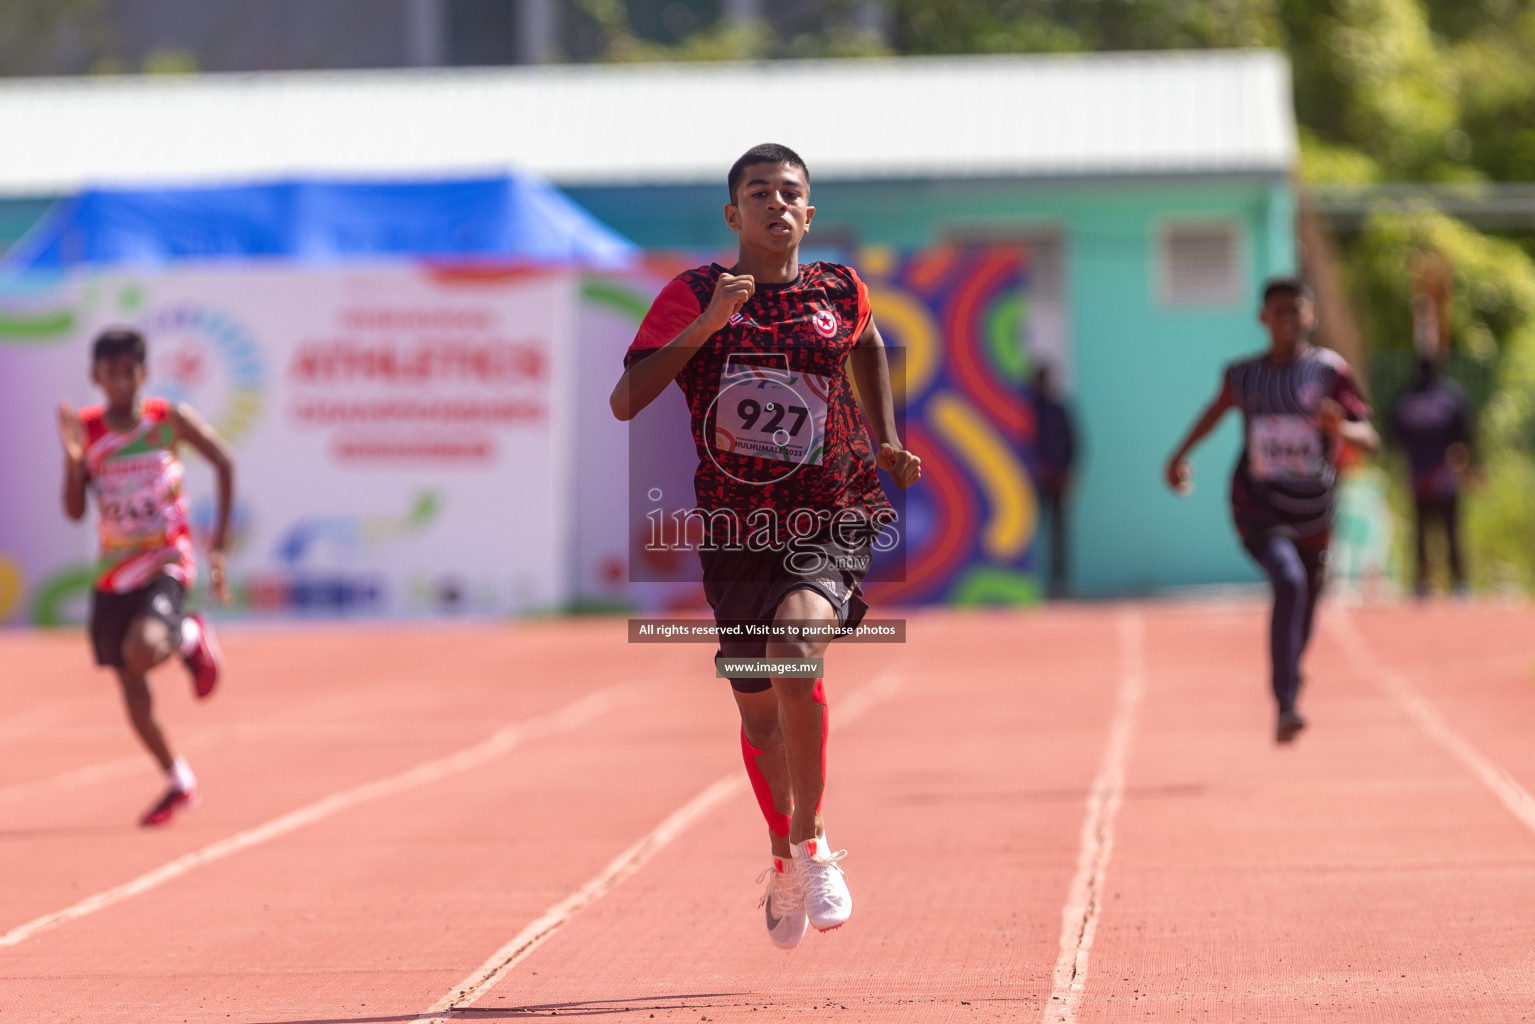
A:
x: 768, y: 412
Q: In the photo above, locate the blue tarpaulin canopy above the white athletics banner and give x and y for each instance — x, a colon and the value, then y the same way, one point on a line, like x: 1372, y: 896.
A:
x: 517, y: 217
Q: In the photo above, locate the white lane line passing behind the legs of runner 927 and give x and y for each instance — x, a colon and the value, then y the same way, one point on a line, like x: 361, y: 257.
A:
x: 518, y: 950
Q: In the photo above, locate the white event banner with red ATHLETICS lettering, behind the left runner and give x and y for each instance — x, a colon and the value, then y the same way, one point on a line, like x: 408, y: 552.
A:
x: 403, y: 435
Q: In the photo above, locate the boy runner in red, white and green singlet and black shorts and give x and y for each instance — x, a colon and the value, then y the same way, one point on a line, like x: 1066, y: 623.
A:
x: 125, y: 452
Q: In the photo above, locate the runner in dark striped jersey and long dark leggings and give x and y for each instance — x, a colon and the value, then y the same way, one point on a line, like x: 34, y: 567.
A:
x: 1299, y: 406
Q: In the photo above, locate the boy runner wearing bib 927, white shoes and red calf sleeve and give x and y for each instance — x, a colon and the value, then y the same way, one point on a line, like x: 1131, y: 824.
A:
x: 787, y: 489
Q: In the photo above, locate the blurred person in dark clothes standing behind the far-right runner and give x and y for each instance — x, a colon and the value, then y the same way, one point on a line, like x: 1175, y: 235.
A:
x: 1433, y: 423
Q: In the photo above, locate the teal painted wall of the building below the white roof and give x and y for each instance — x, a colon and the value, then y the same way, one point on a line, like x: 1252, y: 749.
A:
x: 1143, y: 371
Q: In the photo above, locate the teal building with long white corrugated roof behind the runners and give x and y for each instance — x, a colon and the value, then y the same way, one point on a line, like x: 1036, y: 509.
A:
x: 1150, y: 194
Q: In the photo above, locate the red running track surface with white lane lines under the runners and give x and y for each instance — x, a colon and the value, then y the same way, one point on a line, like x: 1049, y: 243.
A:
x: 1060, y: 814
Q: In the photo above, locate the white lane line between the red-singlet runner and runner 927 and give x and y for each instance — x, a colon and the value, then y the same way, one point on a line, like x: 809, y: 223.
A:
x: 494, y: 747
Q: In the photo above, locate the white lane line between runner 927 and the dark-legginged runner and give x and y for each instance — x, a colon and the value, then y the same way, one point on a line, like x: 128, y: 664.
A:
x: 1084, y: 899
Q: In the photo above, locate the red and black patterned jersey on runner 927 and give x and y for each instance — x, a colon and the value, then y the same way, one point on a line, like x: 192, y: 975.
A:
x: 774, y: 418
